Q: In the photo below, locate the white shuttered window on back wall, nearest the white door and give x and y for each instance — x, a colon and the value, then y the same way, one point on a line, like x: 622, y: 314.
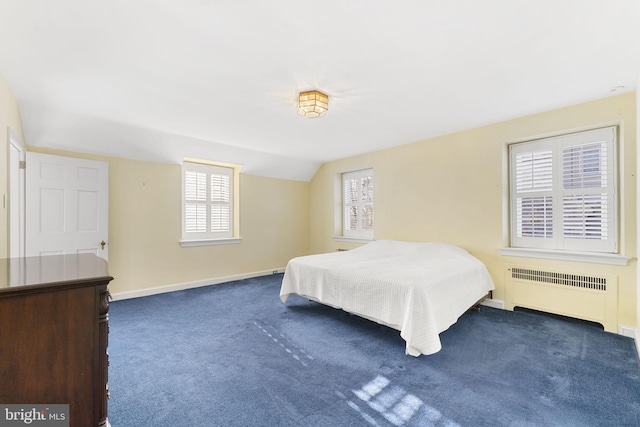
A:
x: 207, y: 201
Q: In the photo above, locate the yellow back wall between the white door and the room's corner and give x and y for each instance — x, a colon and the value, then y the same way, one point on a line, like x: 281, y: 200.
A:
x: 145, y: 226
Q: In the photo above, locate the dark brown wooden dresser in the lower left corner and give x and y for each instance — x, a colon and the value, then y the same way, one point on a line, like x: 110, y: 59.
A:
x: 54, y: 334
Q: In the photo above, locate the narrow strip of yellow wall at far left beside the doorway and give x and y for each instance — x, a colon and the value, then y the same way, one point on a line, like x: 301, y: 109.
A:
x: 9, y: 121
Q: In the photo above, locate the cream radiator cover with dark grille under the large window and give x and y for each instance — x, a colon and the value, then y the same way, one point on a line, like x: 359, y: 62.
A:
x: 578, y: 295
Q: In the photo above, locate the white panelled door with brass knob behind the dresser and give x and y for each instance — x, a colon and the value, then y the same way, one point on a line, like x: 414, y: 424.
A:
x: 67, y: 205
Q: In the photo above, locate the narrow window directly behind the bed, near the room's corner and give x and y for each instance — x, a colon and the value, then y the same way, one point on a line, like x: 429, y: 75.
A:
x: 357, y: 204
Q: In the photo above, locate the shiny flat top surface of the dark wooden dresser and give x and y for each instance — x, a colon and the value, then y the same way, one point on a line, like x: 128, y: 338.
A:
x: 51, y: 270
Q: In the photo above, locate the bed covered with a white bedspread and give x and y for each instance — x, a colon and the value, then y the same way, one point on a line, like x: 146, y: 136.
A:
x: 420, y: 289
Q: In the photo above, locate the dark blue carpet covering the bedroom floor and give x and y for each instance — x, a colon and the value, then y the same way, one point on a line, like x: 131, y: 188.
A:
x: 234, y: 355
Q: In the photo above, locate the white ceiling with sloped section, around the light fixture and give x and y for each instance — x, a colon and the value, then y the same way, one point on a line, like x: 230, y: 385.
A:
x: 218, y: 79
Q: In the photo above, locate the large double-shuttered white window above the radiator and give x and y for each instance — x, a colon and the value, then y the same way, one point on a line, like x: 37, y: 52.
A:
x: 563, y: 192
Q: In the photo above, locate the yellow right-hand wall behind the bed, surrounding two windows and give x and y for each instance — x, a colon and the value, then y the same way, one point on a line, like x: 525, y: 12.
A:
x: 452, y: 189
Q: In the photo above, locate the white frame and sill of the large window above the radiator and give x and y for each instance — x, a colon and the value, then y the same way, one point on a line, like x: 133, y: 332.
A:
x: 565, y: 248
